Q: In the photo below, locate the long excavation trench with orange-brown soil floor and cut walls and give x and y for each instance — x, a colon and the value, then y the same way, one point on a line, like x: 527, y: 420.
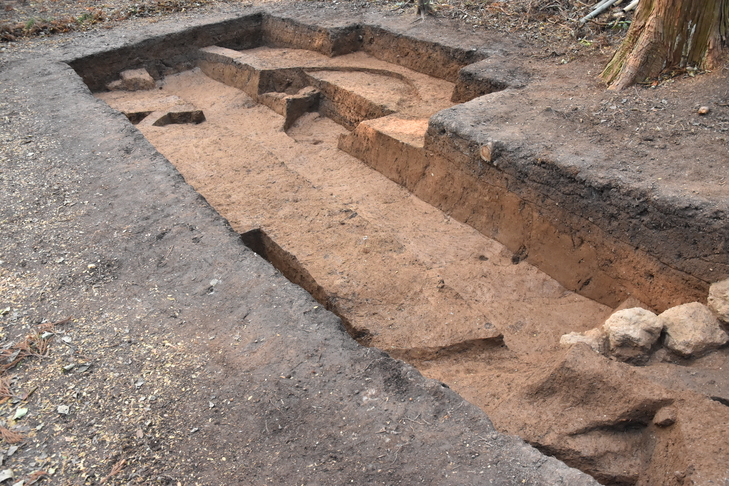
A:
x: 326, y: 166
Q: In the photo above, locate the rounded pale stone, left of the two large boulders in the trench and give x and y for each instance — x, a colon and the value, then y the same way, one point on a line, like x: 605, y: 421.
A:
x: 632, y: 333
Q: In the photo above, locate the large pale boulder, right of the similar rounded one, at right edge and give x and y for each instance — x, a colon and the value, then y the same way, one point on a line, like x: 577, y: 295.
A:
x: 692, y: 330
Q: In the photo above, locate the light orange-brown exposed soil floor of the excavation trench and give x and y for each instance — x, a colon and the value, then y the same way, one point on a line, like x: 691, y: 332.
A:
x: 410, y: 280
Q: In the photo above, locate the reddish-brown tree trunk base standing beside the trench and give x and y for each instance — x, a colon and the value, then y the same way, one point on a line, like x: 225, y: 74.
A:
x: 669, y: 34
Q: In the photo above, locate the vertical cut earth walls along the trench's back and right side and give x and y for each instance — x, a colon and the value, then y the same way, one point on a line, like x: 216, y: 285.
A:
x: 596, y: 258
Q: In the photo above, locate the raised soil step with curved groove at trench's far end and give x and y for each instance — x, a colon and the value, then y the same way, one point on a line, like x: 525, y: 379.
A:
x: 353, y: 87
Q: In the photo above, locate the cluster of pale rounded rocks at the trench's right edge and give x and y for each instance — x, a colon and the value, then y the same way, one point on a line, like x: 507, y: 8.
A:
x: 689, y: 331
